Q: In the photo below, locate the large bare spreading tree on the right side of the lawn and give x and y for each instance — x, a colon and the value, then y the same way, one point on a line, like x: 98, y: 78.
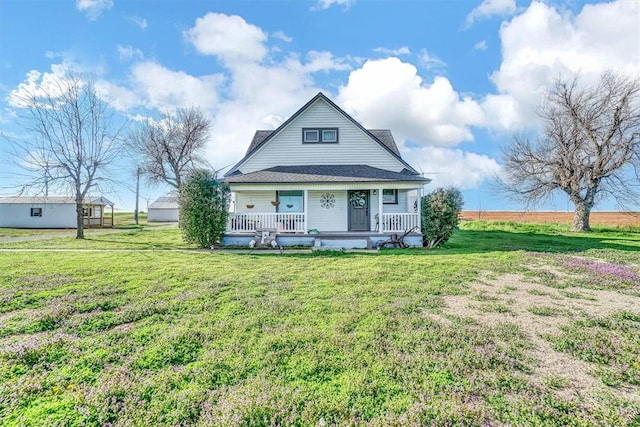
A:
x: 589, y: 149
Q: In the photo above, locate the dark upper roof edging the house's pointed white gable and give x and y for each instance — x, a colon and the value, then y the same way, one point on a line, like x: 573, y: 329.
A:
x: 381, y: 136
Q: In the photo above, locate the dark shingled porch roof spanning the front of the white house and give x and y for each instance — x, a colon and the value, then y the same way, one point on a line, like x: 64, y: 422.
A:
x: 323, y: 173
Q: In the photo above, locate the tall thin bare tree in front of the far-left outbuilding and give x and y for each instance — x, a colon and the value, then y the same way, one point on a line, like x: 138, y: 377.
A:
x: 71, y: 137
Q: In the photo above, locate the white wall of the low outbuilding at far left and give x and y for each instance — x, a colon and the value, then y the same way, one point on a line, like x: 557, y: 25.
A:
x: 18, y: 215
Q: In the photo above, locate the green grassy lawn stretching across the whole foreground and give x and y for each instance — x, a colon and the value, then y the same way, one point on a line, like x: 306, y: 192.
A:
x: 508, y: 324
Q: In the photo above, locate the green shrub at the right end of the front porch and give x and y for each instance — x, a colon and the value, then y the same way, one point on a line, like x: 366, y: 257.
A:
x: 440, y: 211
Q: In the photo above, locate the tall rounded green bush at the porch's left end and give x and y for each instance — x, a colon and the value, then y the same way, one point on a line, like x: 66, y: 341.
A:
x: 203, y: 209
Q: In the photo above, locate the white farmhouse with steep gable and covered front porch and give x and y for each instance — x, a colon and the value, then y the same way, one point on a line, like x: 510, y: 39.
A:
x: 322, y: 179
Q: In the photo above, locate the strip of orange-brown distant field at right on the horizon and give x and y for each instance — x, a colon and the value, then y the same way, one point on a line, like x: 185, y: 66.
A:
x: 601, y: 218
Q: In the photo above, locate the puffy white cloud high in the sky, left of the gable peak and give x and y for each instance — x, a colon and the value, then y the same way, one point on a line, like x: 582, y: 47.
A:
x: 230, y: 38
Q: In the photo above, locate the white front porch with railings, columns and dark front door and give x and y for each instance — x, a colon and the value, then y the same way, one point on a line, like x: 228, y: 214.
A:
x: 321, y: 214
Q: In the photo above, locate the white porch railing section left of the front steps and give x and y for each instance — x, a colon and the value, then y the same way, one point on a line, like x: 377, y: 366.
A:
x: 282, y: 222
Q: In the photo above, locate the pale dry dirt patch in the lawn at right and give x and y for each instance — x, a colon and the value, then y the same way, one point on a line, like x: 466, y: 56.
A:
x: 539, y: 311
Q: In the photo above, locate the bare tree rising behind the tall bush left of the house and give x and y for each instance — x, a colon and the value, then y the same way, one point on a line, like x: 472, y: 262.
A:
x: 173, y: 146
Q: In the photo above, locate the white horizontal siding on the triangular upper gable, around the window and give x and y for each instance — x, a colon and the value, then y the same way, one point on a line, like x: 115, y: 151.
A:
x: 353, y: 147
